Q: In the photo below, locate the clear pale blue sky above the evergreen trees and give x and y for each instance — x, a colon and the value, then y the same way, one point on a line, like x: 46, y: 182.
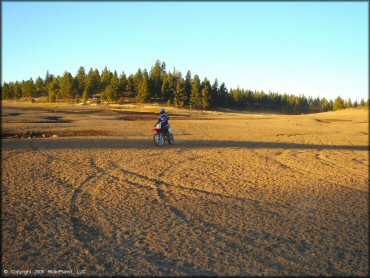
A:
x: 310, y: 48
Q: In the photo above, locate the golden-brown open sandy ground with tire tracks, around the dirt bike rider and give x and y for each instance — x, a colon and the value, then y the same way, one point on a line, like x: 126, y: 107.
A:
x: 238, y: 194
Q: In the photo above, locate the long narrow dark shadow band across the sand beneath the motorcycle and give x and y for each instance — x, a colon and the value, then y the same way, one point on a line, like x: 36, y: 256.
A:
x: 108, y: 143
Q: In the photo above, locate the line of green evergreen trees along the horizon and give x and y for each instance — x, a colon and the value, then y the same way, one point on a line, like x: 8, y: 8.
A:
x: 164, y: 86
